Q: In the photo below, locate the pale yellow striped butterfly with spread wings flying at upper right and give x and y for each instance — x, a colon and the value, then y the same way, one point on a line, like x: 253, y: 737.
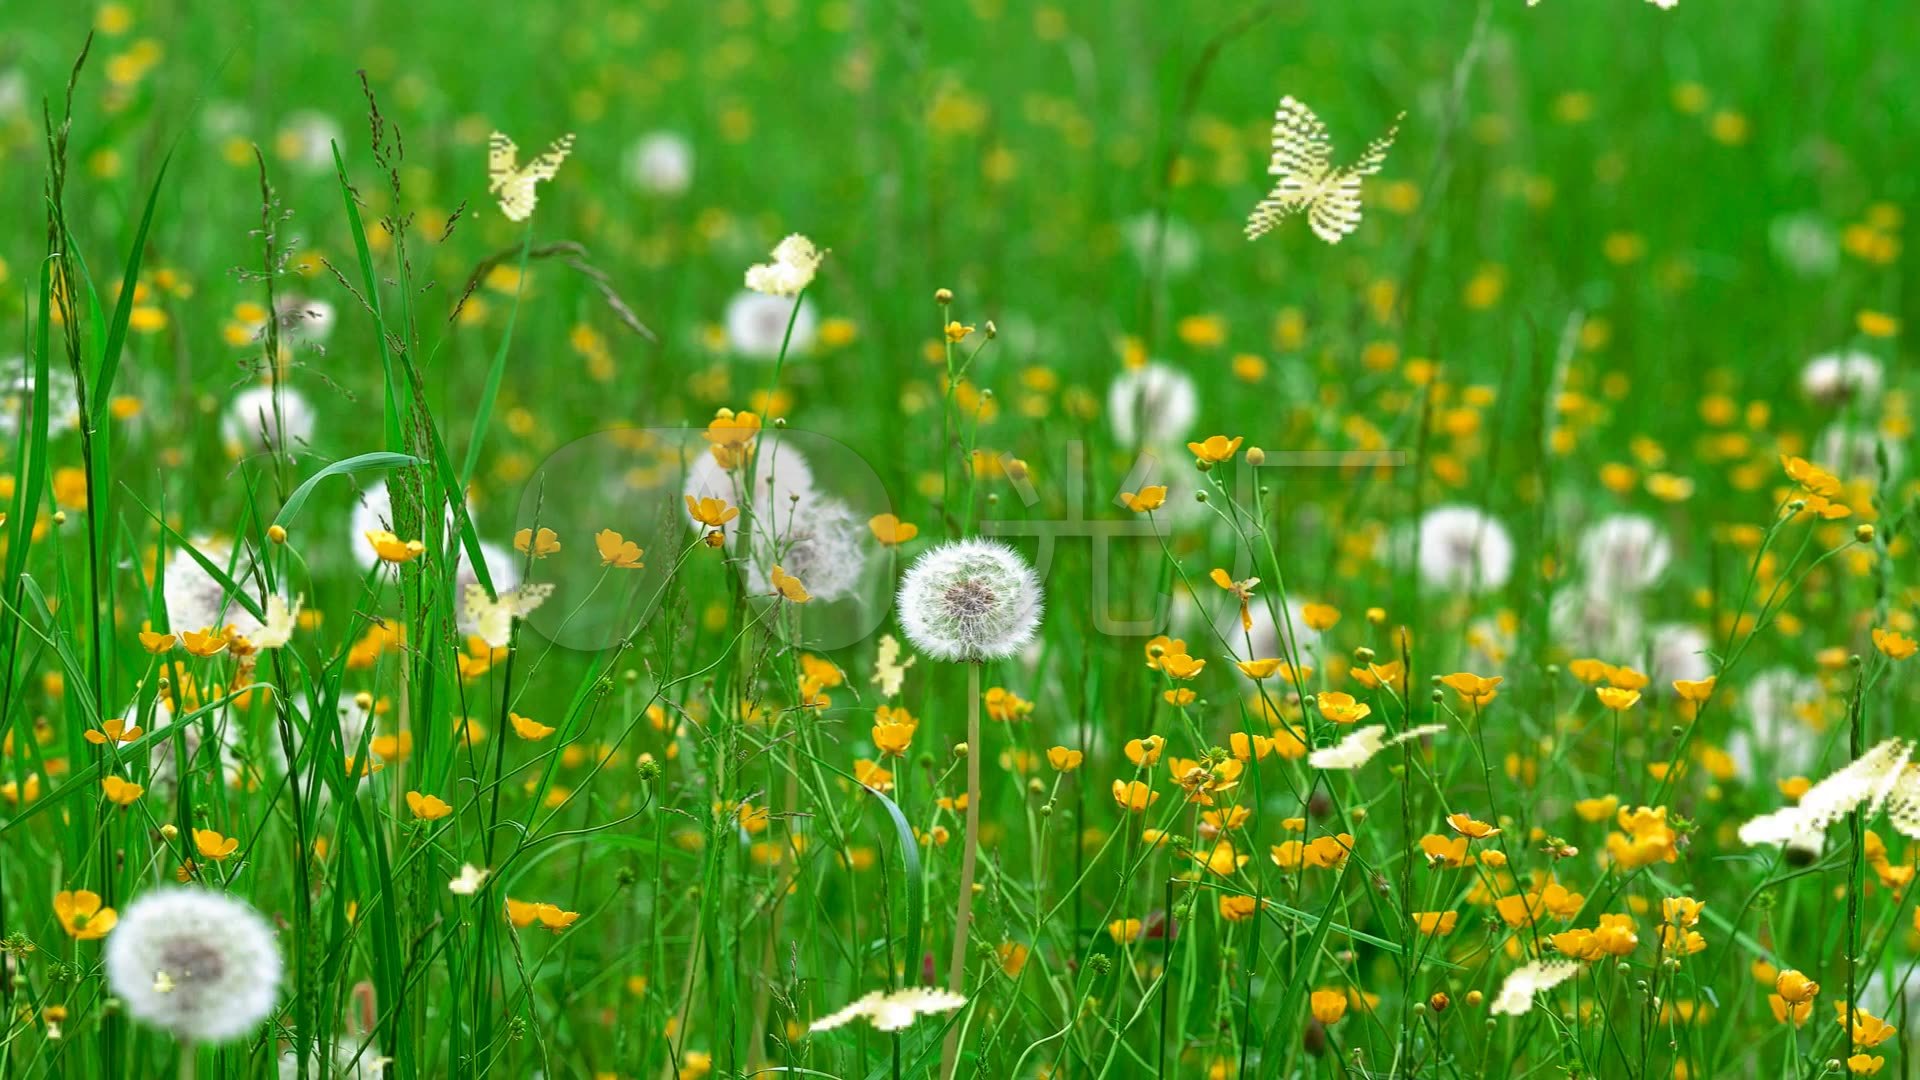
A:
x: 1303, y: 160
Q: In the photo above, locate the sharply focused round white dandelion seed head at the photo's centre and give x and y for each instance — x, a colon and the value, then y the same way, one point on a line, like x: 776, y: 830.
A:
x: 971, y: 601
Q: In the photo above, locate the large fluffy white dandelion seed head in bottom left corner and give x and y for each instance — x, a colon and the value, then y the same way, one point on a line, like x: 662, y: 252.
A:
x: 197, y: 964
